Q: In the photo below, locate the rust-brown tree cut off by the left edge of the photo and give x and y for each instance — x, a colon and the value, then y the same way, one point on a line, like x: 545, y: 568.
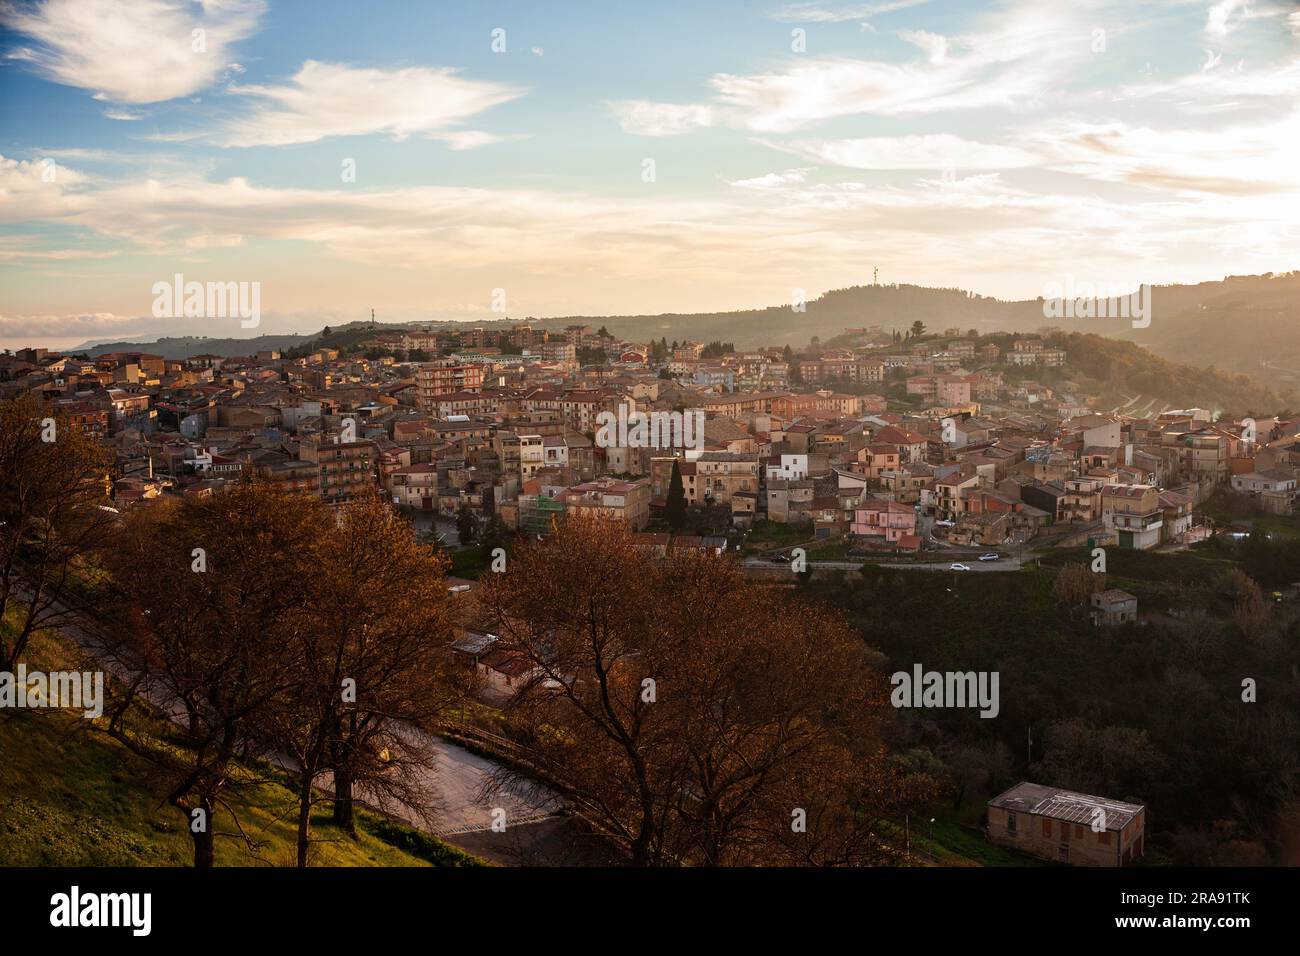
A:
x: 53, y: 514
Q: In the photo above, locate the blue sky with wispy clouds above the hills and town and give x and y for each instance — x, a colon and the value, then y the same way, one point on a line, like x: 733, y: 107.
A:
x: 487, y: 161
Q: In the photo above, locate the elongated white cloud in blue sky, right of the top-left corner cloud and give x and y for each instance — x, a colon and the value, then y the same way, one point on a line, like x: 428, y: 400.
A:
x: 337, y: 101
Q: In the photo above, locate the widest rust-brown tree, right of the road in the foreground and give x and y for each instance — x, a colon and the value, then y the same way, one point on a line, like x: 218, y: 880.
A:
x: 692, y: 717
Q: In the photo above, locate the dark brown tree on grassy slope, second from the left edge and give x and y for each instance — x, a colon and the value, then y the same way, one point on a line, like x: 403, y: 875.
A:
x: 207, y: 608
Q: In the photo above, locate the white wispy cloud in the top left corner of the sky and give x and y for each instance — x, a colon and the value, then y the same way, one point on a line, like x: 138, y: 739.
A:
x: 132, y: 51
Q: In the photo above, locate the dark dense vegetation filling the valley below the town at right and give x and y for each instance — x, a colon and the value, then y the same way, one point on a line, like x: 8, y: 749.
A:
x: 1151, y: 712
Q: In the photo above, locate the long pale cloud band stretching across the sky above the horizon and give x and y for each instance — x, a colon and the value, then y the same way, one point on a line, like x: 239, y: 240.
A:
x: 772, y: 232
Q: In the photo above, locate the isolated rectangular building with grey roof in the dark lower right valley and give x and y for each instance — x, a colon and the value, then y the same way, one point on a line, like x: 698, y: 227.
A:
x: 1065, y: 827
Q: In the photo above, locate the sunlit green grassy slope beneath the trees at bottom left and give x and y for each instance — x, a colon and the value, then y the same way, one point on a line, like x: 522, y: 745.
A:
x: 72, y: 797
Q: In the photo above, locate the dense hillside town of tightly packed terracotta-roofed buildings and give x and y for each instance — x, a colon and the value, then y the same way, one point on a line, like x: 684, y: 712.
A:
x: 909, y: 444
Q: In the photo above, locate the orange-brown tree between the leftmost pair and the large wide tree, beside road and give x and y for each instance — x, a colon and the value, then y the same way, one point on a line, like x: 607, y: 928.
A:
x: 376, y: 673
